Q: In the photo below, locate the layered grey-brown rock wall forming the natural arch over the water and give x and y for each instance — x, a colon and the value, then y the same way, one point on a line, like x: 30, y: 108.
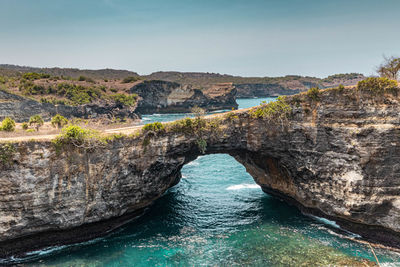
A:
x: 337, y: 157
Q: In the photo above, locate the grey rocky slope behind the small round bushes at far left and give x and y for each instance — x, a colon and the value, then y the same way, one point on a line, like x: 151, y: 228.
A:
x: 21, y: 109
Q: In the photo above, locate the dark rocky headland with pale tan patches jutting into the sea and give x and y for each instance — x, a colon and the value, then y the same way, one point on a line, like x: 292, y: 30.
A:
x: 171, y: 97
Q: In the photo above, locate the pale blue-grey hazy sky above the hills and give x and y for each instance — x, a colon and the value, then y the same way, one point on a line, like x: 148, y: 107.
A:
x: 239, y: 37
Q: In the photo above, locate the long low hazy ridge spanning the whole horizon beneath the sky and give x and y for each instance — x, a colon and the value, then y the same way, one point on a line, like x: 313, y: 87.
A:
x: 246, y: 86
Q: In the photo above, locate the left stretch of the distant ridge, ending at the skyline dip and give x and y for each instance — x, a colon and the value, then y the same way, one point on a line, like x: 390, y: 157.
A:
x: 14, y: 70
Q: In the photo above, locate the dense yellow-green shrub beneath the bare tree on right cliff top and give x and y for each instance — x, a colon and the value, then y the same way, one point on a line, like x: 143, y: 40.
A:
x: 378, y: 85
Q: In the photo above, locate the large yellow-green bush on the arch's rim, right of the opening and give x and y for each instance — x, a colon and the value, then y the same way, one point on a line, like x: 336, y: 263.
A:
x: 278, y: 109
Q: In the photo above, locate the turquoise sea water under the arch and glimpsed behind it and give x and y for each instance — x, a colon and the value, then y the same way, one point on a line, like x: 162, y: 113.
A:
x: 218, y: 216
